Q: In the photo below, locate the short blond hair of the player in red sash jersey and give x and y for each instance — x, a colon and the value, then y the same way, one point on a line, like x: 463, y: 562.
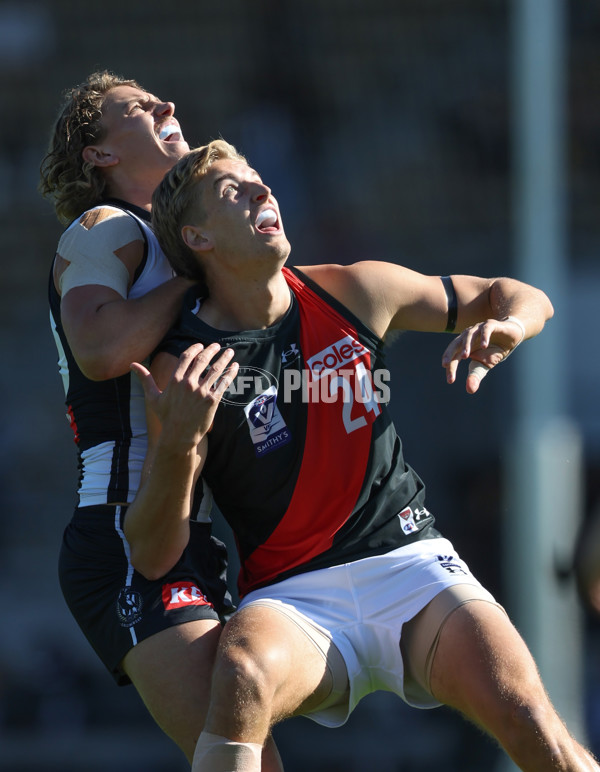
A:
x: 178, y: 196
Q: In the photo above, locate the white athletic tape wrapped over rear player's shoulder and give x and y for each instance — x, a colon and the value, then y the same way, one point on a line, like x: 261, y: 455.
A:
x: 90, y: 251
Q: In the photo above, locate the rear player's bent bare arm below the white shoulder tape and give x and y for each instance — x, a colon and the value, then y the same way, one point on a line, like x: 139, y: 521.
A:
x: 129, y: 330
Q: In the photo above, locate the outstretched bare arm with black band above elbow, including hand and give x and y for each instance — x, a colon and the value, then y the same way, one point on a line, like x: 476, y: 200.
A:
x: 492, y: 315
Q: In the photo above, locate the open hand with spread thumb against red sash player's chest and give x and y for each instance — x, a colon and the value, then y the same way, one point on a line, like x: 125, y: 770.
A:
x: 187, y: 405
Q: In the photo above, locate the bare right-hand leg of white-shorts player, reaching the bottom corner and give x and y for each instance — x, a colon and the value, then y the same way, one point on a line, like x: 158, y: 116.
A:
x: 483, y: 668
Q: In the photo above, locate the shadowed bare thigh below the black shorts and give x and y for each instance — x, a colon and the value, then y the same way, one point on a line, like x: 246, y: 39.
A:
x: 172, y: 671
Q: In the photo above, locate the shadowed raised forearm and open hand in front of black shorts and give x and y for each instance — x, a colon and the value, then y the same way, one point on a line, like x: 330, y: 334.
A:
x: 179, y: 418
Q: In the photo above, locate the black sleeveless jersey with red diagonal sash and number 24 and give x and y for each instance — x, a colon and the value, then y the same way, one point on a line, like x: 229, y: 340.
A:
x: 304, y: 463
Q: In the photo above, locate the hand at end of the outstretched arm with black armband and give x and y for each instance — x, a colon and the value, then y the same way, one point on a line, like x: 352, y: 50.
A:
x: 486, y: 344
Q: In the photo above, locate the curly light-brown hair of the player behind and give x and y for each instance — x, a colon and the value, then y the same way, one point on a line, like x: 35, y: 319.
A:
x: 72, y: 184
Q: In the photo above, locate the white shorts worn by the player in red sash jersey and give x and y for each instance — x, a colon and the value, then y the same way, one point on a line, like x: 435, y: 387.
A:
x: 360, y: 607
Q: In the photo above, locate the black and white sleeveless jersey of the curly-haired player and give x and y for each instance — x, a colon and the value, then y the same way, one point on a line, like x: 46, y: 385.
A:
x: 108, y: 417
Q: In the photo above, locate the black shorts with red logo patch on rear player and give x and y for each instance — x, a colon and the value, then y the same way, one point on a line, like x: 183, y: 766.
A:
x: 115, y: 606
